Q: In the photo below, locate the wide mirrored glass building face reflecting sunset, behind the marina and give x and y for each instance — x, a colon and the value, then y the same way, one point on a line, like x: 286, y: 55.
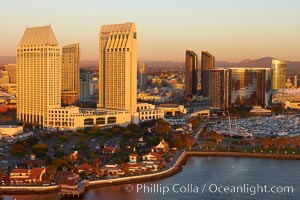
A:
x: 249, y: 86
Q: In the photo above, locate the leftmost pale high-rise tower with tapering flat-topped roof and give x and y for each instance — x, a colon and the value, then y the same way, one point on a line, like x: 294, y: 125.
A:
x: 38, y: 75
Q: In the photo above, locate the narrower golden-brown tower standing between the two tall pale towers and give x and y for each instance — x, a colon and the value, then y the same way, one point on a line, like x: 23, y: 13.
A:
x: 70, y: 84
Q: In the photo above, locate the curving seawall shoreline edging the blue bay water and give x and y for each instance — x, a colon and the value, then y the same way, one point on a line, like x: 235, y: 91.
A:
x: 175, y: 168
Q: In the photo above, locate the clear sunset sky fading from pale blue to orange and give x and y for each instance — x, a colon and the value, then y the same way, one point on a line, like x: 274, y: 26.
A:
x: 232, y: 30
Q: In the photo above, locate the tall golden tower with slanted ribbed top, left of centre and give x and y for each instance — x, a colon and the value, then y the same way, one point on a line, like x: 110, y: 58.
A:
x: 118, y: 67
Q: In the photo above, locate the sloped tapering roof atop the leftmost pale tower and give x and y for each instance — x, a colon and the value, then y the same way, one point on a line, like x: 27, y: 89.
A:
x: 38, y: 35
